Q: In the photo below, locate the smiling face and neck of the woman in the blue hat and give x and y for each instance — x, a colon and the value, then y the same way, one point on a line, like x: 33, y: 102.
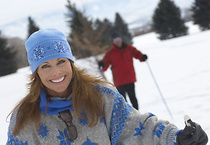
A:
x: 56, y: 75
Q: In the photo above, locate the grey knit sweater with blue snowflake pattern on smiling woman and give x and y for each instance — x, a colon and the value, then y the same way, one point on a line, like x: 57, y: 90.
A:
x: 123, y: 125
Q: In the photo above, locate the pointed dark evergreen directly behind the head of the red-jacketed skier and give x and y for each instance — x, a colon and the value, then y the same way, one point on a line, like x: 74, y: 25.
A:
x: 122, y: 28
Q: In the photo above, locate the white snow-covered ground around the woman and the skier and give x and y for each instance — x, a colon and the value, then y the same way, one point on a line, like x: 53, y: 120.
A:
x: 181, y: 67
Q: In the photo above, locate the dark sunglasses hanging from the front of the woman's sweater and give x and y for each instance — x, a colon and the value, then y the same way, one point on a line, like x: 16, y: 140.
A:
x: 71, y: 131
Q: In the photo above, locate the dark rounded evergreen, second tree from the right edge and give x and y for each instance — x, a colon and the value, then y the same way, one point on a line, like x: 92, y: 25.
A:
x: 167, y: 20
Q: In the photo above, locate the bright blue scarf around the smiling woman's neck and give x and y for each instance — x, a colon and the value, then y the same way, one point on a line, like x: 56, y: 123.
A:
x: 56, y: 104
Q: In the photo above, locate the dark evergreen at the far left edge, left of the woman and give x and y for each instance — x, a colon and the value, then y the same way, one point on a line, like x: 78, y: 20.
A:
x: 8, y: 63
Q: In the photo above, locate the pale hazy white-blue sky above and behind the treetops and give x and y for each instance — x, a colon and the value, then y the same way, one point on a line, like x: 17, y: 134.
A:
x: 50, y: 13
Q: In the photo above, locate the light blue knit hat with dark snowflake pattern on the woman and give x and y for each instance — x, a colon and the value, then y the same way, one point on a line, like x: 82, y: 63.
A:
x: 47, y: 44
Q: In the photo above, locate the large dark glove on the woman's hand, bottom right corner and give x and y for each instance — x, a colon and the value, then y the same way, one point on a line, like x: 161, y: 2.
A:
x: 192, y: 135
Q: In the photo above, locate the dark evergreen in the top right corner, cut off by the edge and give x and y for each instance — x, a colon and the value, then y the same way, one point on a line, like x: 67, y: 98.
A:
x: 201, y: 13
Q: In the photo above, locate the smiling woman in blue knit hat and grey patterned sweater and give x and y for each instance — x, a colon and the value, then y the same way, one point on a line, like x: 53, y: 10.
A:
x: 66, y: 106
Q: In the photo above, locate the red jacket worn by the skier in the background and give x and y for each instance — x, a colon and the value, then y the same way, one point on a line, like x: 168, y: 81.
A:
x: 121, y: 62
